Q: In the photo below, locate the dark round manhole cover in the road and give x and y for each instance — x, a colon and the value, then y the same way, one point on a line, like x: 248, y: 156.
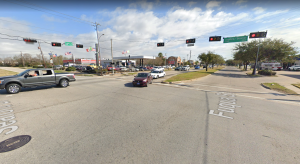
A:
x: 14, y: 143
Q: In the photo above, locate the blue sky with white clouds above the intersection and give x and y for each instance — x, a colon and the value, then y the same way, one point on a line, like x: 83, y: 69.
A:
x: 138, y: 25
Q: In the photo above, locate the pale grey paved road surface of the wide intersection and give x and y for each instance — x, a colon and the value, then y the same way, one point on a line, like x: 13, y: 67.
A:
x: 106, y: 120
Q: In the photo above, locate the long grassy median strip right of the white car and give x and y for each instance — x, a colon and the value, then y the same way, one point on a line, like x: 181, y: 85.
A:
x: 192, y: 75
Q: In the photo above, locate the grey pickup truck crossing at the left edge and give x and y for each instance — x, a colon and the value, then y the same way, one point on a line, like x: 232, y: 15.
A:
x: 34, y: 78
